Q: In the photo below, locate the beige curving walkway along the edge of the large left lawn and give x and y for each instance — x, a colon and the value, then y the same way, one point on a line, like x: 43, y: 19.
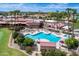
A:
x: 15, y: 46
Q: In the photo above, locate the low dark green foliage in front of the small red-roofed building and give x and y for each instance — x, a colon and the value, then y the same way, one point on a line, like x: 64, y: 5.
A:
x: 52, y: 52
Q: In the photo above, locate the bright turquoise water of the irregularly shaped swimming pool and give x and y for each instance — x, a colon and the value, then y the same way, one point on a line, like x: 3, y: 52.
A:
x: 41, y: 35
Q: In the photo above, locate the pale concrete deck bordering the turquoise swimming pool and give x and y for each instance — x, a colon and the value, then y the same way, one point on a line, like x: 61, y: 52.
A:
x: 35, y: 31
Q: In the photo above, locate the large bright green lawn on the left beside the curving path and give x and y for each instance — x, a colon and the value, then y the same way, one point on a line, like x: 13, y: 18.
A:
x: 4, y: 49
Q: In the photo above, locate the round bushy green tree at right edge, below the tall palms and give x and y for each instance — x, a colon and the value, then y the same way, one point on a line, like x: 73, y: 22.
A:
x: 71, y: 43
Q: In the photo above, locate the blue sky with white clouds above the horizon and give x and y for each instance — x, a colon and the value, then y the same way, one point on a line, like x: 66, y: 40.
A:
x: 35, y: 7
